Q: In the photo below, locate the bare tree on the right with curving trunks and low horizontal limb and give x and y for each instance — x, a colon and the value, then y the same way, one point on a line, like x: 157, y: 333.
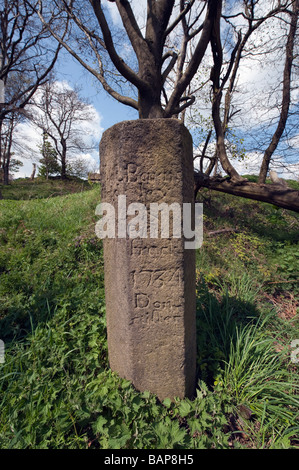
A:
x: 224, y: 77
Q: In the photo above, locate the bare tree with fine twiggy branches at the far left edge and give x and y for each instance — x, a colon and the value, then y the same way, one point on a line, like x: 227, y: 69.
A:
x: 27, y: 56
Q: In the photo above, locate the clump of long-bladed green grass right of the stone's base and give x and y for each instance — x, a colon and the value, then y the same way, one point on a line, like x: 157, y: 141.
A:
x: 238, y: 356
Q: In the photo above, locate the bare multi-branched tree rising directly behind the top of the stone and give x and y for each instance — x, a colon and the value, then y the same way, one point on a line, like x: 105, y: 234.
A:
x: 154, y: 59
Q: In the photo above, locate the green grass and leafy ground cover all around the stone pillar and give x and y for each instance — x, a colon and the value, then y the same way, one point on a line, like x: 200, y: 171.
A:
x: 56, y: 387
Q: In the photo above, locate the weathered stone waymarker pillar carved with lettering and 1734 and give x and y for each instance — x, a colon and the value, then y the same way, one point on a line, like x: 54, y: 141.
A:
x: 149, y: 282
